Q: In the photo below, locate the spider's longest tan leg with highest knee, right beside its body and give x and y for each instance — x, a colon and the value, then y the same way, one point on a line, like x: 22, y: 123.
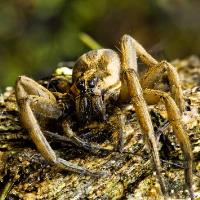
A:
x: 132, y: 89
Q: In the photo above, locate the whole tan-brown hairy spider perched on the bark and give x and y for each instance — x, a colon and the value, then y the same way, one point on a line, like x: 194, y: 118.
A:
x: 103, y: 78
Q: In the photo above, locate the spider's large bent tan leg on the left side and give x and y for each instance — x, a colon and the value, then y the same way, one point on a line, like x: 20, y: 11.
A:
x: 32, y: 98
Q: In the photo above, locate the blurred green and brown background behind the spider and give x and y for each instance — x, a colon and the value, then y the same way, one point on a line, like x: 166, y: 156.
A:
x: 37, y: 34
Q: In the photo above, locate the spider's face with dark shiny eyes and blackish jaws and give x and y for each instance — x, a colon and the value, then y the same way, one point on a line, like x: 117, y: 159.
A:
x: 89, y: 103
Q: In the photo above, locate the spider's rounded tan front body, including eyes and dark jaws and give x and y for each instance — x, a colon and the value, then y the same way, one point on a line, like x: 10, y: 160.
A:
x: 96, y: 82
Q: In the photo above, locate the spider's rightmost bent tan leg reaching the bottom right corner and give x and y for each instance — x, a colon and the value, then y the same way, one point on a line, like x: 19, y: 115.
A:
x: 174, y: 116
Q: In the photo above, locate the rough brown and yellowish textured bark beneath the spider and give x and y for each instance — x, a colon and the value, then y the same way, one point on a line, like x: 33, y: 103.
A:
x: 26, y: 175
